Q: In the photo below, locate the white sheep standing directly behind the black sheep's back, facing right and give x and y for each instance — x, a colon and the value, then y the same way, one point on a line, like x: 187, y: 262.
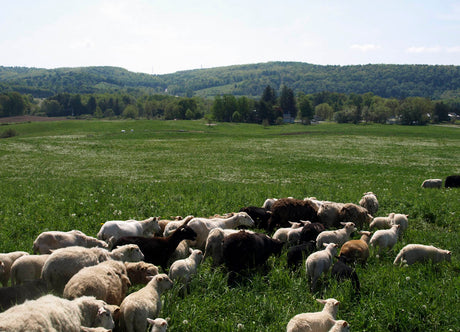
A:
x: 115, y: 229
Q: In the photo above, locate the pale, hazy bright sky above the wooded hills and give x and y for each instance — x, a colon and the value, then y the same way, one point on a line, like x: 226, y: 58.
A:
x: 166, y: 36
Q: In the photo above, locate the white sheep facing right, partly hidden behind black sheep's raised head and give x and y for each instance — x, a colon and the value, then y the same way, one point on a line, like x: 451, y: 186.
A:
x: 202, y: 227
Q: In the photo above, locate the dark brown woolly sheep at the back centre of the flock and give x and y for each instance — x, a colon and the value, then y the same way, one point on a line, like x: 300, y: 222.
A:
x: 291, y: 209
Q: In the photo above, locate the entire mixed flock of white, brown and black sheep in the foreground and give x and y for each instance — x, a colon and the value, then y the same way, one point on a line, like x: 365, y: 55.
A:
x: 75, y: 282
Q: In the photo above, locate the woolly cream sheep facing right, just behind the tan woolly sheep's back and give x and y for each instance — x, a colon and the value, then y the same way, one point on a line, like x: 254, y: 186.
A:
x: 65, y: 262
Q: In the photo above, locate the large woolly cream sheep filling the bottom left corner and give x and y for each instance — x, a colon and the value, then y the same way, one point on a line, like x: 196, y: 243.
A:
x: 51, y: 313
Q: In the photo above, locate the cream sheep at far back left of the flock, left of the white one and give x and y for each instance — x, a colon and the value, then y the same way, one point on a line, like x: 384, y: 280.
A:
x: 48, y: 241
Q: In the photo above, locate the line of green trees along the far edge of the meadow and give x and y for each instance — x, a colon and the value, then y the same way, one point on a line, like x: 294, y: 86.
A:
x: 272, y: 107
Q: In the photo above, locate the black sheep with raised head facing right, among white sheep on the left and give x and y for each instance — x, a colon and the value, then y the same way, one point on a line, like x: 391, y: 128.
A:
x: 158, y: 250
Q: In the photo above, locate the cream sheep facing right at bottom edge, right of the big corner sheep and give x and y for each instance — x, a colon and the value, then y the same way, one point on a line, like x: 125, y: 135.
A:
x: 144, y: 303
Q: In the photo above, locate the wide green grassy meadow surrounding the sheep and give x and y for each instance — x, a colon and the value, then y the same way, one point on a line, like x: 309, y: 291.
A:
x: 78, y: 174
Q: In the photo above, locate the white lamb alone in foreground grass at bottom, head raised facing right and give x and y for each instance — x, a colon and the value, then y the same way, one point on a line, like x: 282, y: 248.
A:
x: 320, y: 321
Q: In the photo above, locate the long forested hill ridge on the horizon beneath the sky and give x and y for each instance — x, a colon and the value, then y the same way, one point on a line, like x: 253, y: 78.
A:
x: 397, y: 81
